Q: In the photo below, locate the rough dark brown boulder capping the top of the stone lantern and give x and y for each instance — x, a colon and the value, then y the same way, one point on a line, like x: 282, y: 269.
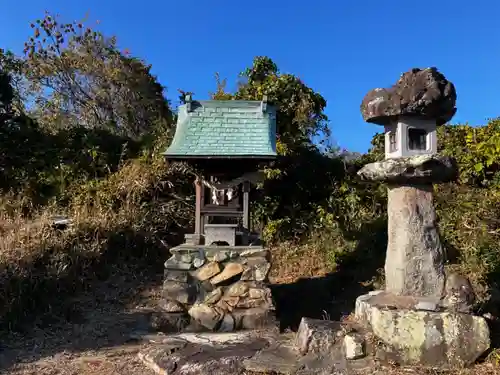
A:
x: 419, y: 92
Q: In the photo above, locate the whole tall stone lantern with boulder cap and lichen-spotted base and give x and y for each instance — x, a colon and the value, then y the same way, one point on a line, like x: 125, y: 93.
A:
x: 424, y: 315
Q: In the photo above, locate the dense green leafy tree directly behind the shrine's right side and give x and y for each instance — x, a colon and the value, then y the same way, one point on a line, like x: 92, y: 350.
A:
x: 303, y: 176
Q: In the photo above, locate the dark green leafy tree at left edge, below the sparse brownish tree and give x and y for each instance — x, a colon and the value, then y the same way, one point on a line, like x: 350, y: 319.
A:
x: 41, y: 164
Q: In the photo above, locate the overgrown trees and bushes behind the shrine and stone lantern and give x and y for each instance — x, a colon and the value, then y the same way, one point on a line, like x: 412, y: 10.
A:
x: 82, y: 125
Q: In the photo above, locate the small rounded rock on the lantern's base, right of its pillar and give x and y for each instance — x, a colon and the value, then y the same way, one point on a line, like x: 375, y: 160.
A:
x: 459, y: 295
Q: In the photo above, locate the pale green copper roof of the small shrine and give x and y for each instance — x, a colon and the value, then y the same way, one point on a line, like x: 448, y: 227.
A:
x: 224, y: 128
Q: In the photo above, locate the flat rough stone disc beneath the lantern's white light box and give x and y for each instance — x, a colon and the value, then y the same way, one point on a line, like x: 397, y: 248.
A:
x: 421, y: 169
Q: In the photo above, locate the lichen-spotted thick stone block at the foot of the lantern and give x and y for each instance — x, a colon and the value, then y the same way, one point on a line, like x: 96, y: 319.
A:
x: 425, y: 338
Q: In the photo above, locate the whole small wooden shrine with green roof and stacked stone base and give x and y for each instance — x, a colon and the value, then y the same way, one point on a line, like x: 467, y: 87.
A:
x: 217, y: 280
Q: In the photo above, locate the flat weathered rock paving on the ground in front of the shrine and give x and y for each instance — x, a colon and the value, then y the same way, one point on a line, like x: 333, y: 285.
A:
x: 261, y: 351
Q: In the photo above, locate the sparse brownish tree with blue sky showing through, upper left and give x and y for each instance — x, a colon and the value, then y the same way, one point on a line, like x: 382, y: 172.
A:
x: 78, y: 76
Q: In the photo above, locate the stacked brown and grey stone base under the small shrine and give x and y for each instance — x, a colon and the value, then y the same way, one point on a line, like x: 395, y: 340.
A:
x: 217, y: 288
